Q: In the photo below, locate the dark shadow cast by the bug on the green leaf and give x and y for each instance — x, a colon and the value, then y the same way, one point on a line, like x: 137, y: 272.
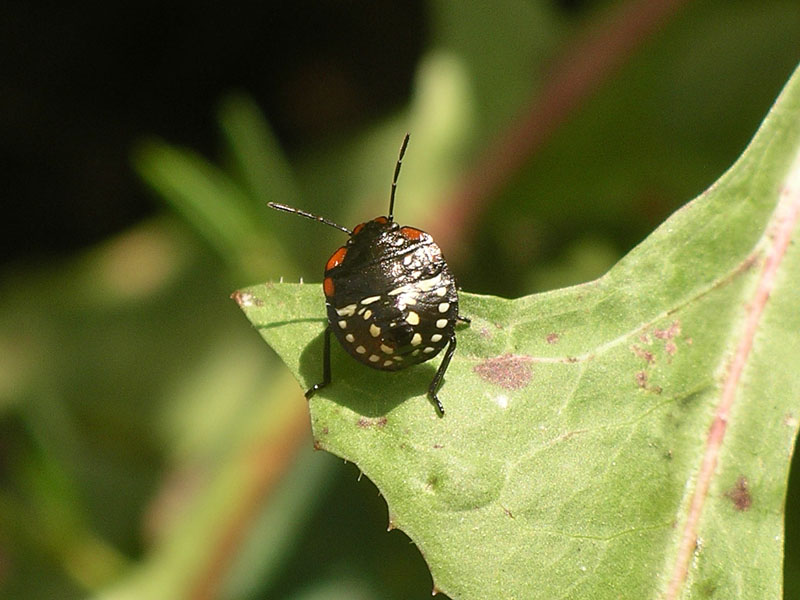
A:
x: 365, y: 391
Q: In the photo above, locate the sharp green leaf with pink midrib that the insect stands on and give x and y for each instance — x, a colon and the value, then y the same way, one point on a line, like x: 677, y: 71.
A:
x: 625, y: 438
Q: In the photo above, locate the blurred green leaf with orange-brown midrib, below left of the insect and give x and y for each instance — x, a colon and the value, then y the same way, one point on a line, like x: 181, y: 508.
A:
x: 222, y: 528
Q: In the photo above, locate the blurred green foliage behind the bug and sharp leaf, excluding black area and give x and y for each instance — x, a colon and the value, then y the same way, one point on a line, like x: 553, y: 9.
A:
x: 151, y: 446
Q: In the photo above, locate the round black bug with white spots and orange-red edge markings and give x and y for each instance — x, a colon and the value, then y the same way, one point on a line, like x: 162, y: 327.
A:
x: 391, y: 299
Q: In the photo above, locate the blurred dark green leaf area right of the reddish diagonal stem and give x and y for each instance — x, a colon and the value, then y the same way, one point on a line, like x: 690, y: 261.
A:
x: 660, y: 130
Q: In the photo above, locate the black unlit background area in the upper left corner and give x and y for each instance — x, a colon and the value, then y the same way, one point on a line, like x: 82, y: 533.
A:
x: 81, y: 83
